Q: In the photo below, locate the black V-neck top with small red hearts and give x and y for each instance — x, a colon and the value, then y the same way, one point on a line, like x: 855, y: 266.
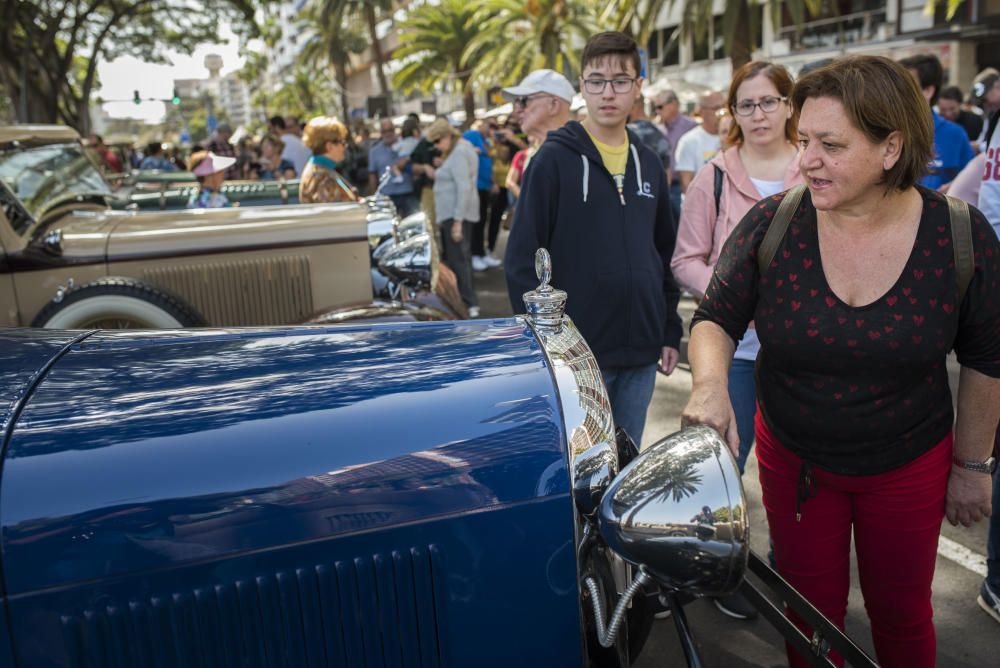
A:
x: 858, y: 390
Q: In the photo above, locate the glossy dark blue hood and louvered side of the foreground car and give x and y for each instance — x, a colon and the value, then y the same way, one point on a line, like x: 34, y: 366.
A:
x: 386, y: 495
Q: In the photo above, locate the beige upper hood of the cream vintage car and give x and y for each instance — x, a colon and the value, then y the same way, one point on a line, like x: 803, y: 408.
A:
x: 127, y: 234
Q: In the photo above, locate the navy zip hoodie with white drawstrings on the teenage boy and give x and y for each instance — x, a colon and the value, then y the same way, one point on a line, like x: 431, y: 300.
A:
x: 612, y: 257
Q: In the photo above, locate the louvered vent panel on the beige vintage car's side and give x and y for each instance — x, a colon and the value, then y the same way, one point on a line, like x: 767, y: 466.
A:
x: 271, y: 291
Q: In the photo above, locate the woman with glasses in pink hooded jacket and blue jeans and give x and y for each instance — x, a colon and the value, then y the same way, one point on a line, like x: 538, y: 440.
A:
x: 761, y: 161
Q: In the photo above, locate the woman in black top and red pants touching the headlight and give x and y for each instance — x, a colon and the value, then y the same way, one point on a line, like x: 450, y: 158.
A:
x: 856, y: 314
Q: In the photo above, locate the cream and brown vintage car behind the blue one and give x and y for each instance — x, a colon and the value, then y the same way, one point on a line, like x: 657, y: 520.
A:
x: 68, y: 260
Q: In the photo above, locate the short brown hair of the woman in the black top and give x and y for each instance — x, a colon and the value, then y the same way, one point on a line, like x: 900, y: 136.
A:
x: 879, y: 97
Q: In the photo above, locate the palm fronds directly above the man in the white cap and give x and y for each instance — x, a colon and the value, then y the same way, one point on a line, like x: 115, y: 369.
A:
x: 518, y: 36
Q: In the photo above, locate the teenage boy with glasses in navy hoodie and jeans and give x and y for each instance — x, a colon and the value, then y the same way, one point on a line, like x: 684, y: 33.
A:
x: 598, y: 200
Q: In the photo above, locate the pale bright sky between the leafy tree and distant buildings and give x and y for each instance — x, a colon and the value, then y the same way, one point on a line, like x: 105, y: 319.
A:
x: 119, y: 78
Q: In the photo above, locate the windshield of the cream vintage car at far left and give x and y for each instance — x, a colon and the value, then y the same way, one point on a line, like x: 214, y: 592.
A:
x: 43, y: 175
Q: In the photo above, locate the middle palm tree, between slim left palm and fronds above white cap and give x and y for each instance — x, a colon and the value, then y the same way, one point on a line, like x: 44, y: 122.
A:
x: 434, y: 45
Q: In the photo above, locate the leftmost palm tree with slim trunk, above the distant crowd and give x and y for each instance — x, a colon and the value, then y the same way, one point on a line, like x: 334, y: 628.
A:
x: 333, y: 39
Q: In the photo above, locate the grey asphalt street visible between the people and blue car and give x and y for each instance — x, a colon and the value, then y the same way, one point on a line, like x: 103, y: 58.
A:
x: 966, y: 635
